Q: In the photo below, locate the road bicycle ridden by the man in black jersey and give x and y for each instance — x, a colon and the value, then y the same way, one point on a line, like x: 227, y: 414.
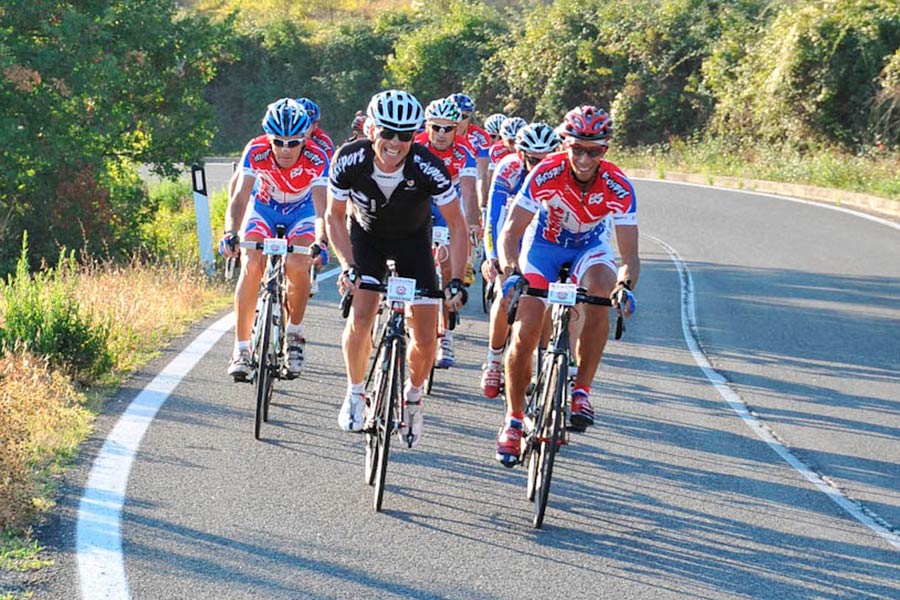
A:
x: 384, y: 413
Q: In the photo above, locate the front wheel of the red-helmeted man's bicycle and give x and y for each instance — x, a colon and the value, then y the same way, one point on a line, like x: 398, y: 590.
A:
x: 549, y: 434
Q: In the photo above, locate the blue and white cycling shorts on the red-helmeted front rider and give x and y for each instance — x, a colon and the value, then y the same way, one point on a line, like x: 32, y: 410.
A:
x: 541, y: 260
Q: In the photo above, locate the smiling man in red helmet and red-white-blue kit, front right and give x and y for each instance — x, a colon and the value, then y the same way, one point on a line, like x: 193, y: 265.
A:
x: 560, y: 217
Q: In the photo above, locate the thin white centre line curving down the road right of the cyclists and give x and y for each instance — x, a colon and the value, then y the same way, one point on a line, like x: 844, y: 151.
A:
x: 692, y: 338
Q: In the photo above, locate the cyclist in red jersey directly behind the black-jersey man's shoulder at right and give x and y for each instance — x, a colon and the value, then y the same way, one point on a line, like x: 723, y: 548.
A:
x: 442, y: 117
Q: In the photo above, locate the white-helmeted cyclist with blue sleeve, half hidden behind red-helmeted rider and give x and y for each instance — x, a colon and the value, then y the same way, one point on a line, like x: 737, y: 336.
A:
x: 533, y: 143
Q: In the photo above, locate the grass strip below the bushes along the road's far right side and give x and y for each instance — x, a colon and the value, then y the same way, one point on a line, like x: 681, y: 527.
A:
x: 873, y: 171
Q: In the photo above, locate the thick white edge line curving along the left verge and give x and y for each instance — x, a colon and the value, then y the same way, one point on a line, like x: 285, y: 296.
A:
x: 98, y: 529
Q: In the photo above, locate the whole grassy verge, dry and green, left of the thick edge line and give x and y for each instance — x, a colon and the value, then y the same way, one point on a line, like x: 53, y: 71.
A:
x: 45, y: 413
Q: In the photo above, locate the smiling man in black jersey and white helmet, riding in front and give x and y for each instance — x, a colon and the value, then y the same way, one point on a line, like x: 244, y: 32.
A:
x: 391, y: 183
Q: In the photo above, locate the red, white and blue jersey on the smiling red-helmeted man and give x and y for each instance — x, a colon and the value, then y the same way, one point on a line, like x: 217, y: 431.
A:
x: 569, y: 217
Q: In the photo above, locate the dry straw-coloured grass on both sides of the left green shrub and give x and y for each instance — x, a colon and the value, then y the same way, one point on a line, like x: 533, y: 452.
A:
x: 43, y: 417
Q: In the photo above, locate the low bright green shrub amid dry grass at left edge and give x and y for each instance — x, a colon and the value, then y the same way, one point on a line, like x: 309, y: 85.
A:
x: 42, y: 315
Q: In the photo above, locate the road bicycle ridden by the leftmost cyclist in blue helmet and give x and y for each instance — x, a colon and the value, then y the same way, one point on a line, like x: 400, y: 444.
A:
x: 267, y: 358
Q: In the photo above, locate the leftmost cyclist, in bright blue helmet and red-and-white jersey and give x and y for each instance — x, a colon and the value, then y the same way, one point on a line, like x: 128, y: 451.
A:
x: 281, y: 181
